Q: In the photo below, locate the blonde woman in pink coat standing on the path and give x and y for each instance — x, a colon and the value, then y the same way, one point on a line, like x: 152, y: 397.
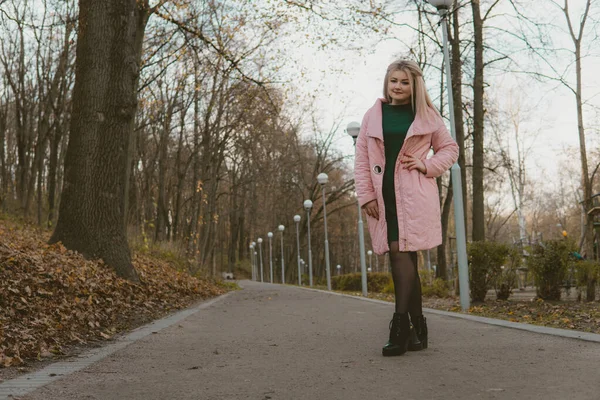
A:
x: 396, y: 187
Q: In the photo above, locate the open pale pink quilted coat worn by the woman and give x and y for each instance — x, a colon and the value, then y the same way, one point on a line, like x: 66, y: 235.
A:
x: 417, y: 195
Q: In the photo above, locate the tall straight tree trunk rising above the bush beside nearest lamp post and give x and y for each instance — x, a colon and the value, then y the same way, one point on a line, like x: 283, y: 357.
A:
x: 478, y: 119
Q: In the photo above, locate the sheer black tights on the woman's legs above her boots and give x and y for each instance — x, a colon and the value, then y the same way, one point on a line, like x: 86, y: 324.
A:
x: 407, y: 284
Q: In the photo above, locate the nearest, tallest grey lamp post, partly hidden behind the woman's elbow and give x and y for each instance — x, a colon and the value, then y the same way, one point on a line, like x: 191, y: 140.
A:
x: 461, y: 242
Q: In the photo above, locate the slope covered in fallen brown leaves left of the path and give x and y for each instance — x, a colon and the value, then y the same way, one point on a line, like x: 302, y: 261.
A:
x: 51, y: 298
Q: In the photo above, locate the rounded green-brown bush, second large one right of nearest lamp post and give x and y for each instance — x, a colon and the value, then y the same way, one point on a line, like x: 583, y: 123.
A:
x: 549, y: 264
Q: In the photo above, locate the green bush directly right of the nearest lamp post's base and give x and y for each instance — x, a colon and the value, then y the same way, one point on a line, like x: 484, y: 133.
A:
x: 485, y: 262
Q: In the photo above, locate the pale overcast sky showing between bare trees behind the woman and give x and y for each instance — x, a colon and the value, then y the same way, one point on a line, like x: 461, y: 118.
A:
x: 346, y: 83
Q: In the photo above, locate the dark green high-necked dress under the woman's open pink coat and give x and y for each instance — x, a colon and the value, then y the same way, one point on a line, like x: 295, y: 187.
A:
x: 396, y: 121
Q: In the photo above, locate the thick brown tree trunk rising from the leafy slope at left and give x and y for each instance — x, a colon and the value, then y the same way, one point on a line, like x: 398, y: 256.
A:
x: 93, y: 206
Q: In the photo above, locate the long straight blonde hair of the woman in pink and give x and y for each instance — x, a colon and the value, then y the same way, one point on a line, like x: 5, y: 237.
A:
x: 421, y: 102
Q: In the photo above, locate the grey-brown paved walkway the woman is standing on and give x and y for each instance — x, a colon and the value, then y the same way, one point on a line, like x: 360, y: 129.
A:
x: 277, y: 342
